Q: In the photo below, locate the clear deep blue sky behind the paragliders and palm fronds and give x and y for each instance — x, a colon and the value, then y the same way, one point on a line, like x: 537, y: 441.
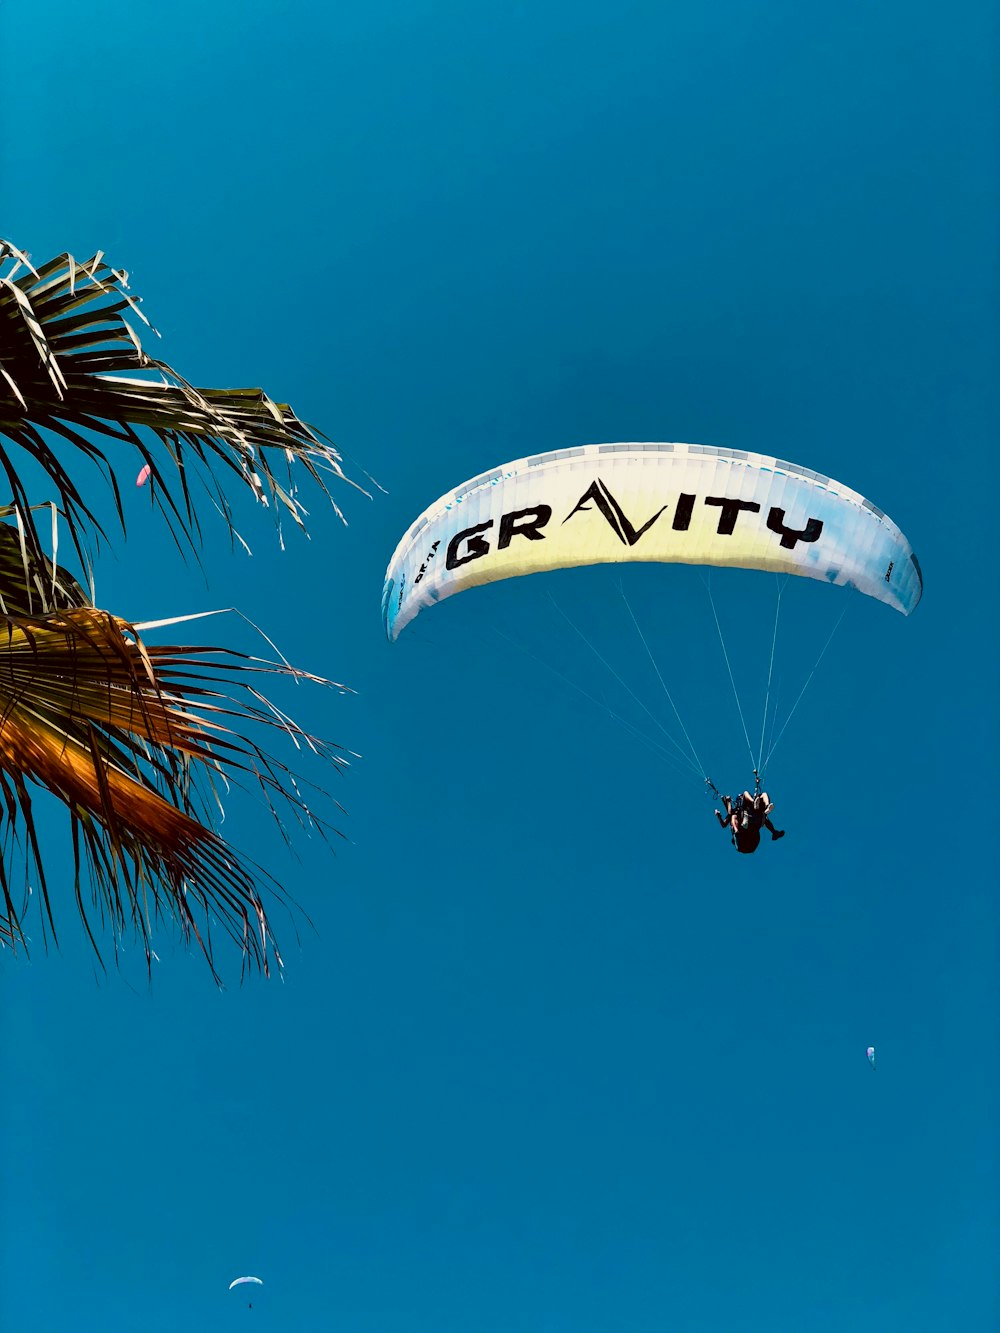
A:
x: 553, y: 1059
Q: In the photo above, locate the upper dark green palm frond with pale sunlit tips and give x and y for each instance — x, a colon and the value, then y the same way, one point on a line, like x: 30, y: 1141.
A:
x: 74, y: 371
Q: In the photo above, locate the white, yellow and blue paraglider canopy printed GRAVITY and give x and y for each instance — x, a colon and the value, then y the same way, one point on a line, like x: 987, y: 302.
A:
x: 674, y: 503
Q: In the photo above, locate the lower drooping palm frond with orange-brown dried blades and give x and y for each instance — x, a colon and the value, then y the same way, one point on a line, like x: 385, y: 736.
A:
x: 121, y: 732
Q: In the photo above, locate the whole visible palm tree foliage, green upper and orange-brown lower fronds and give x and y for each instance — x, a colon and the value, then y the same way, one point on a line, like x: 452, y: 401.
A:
x: 138, y: 742
